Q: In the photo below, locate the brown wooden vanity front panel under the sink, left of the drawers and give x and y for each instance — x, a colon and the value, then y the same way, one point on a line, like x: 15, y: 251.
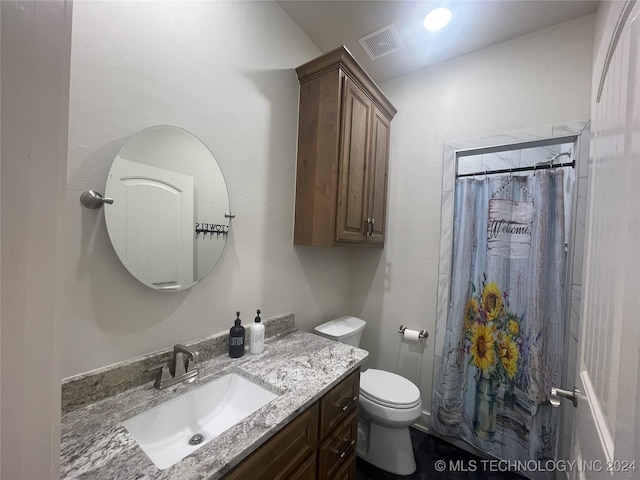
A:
x: 286, y: 455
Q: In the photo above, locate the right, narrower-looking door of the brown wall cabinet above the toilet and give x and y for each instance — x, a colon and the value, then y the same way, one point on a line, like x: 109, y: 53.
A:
x: 378, y: 169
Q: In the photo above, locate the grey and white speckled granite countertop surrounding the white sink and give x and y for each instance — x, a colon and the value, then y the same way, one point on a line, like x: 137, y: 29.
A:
x: 298, y: 365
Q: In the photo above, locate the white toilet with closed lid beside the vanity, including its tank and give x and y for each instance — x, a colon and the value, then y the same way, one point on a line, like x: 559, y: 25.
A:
x: 389, y: 403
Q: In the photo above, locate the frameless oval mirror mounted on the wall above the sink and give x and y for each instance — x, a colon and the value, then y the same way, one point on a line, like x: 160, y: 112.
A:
x: 170, y: 214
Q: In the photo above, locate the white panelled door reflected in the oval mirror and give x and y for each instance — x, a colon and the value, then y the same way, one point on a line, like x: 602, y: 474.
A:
x: 152, y: 218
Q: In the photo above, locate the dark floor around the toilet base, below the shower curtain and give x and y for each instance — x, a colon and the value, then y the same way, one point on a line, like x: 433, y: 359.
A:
x: 429, y: 451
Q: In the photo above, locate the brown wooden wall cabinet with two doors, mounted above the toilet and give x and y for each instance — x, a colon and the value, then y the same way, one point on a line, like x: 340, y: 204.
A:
x: 343, y: 154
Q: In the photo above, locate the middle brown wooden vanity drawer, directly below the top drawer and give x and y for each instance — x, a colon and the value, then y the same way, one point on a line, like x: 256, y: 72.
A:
x: 337, y: 453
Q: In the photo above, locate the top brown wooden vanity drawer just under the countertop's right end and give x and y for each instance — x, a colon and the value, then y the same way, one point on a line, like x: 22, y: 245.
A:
x: 339, y: 403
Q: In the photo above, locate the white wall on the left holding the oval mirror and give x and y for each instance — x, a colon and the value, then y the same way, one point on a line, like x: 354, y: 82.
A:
x: 225, y: 72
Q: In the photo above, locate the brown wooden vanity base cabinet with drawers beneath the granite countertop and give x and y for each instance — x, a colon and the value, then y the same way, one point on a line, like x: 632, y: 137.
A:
x: 319, y: 444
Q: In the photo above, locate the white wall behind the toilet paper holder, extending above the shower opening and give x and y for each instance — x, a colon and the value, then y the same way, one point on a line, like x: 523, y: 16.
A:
x: 536, y: 80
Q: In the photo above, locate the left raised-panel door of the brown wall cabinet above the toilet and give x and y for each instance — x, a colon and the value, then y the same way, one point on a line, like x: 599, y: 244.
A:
x: 351, y: 222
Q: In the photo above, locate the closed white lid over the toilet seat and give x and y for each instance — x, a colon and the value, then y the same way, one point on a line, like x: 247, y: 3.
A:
x: 388, y: 389
